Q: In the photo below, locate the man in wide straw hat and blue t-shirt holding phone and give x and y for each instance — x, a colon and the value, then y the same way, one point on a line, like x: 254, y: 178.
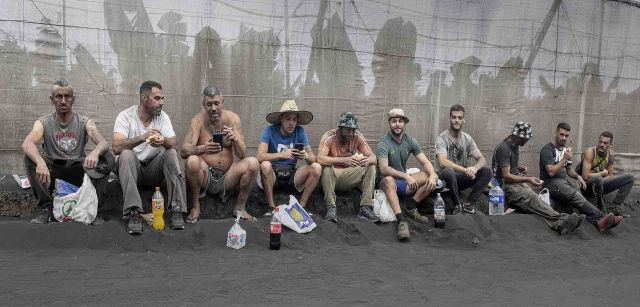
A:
x: 286, y: 159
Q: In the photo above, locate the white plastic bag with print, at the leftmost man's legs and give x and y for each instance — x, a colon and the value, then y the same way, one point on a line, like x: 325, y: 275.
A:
x: 80, y: 206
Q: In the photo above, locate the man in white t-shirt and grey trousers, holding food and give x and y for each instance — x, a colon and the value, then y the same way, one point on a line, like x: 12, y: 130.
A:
x: 144, y: 140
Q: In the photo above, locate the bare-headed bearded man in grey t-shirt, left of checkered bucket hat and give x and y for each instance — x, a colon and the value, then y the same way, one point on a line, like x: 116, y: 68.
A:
x: 454, y: 148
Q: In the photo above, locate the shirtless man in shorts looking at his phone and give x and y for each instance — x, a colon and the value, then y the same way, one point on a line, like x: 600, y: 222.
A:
x: 214, y: 138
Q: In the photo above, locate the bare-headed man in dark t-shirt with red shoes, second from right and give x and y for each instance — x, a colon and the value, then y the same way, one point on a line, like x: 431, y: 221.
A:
x: 555, y: 168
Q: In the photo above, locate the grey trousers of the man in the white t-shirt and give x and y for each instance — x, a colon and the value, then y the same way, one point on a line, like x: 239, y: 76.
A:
x: 165, y: 165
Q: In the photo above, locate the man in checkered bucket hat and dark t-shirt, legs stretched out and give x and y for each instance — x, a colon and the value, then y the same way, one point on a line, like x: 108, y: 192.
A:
x: 513, y: 179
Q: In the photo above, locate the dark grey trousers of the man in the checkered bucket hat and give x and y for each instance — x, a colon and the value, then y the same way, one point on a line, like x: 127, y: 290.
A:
x: 521, y: 196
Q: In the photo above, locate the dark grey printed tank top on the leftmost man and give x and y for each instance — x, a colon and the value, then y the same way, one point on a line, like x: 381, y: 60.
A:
x: 64, y: 142
